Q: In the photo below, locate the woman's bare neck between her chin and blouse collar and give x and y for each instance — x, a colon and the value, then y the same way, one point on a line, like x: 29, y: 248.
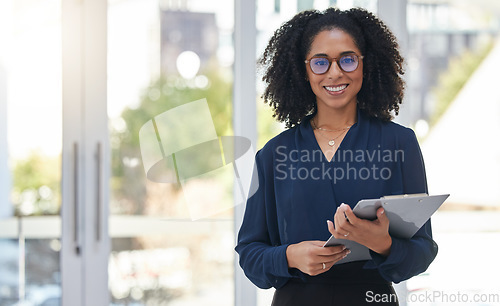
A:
x: 336, y: 118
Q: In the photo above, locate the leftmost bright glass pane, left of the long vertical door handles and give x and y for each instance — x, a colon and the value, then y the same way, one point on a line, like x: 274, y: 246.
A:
x: 30, y: 152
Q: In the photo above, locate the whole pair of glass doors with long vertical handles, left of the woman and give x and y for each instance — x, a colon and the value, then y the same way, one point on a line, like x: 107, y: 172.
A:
x: 172, y: 233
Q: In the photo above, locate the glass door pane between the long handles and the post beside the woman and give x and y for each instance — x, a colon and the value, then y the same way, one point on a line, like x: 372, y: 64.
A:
x: 170, y: 89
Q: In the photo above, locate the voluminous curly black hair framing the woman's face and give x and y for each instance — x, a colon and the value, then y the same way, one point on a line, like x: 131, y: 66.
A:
x: 291, y: 96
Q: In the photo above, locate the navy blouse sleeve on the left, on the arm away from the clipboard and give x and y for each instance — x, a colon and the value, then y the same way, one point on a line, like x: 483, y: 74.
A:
x: 263, y: 261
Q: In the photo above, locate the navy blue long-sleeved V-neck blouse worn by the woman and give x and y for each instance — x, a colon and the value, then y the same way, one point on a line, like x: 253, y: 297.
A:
x: 299, y: 190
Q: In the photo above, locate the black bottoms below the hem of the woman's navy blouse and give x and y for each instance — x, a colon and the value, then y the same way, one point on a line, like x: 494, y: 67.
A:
x: 299, y: 293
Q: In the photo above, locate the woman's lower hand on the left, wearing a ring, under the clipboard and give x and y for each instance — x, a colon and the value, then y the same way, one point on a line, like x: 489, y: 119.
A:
x: 312, y: 258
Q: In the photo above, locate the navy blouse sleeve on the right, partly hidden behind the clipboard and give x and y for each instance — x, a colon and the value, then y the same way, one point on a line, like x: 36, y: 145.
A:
x: 409, y: 257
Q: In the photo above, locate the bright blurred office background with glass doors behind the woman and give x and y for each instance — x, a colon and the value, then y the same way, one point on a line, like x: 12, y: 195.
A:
x: 80, y: 224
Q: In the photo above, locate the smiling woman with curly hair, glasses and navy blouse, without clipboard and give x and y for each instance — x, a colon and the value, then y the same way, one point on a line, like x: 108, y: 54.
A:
x: 334, y: 78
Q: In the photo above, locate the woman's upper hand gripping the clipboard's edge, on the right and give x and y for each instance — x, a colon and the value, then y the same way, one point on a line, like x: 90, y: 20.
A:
x: 372, y: 234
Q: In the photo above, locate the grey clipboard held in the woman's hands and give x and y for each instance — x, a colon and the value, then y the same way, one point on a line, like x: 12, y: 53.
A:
x: 406, y: 213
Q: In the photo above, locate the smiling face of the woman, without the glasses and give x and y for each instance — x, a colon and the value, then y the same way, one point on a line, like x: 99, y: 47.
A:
x: 335, y: 89
